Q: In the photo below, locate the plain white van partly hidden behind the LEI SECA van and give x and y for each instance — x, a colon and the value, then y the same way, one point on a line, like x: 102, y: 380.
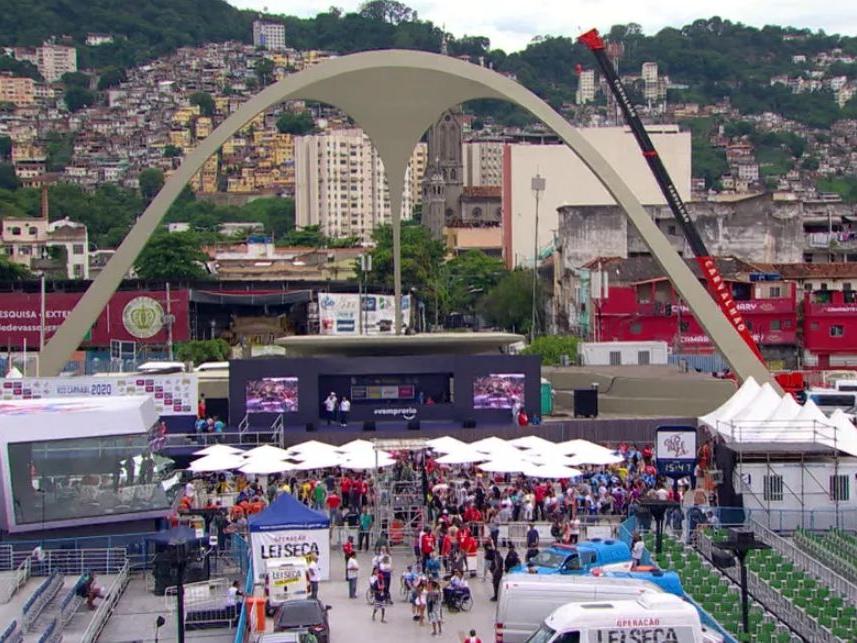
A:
x: 525, y: 600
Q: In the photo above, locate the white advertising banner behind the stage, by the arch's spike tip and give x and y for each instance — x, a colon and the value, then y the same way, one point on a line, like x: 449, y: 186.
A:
x: 339, y: 314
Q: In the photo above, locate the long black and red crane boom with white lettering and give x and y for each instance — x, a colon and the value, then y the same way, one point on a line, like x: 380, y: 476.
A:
x: 721, y: 291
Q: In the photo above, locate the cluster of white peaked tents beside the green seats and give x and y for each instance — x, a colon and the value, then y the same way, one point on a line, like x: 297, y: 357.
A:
x: 758, y: 419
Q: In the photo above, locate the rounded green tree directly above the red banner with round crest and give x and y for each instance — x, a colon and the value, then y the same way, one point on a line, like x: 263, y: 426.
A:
x: 177, y: 256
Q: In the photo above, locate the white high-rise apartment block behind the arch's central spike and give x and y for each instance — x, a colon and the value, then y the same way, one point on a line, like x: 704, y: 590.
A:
x: 341, y: 186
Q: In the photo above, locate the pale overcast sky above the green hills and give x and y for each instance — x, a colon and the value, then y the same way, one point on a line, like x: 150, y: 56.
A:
x: 511, y: 24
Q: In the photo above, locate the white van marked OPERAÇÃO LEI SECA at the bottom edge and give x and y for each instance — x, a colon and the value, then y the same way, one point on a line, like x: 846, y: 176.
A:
x: 655, y: 618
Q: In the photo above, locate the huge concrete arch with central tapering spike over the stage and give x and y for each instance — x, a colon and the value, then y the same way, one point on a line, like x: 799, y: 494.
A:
x: 395, y: 96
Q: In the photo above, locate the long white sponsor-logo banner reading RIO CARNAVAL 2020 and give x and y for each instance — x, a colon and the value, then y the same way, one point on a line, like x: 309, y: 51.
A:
x: 173, y: 394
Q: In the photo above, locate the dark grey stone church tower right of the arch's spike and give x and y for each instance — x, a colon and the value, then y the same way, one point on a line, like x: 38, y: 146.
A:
x: 445, y: 161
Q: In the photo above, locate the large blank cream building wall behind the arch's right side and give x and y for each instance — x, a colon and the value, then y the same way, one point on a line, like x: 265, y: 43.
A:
x: 569, y: 181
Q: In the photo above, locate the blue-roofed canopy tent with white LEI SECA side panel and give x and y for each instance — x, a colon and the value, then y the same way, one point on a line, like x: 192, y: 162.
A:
x: 288, y: 529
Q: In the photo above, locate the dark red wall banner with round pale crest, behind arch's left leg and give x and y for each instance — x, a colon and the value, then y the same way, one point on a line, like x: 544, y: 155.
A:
x: 131, y: 316
